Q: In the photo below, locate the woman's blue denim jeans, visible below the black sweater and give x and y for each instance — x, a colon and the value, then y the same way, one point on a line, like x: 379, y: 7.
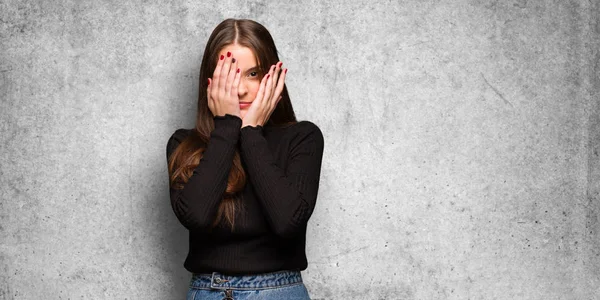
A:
x: 276, y: 285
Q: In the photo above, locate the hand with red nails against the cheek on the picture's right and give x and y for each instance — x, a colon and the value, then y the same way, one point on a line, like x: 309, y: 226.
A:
x: 267, y: 97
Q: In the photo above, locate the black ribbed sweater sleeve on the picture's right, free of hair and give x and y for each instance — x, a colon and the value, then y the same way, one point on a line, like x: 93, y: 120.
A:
x: 289, y: 197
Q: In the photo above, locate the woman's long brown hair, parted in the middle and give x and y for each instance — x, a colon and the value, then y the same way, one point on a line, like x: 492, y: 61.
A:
x: 186, y: 157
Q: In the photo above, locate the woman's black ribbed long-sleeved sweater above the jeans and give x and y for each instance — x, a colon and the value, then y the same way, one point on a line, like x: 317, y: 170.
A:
x: 282, y: 165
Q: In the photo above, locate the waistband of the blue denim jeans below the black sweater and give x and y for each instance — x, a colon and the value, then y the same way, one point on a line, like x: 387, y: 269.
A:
x: 250, y: 282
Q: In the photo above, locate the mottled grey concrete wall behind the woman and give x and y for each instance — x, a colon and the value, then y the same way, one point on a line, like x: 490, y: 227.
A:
x: 461, y: 145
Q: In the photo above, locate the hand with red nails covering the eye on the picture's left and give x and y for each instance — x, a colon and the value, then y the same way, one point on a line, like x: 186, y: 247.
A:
x: 222, y: 90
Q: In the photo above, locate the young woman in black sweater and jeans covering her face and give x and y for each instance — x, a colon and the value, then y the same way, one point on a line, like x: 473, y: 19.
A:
x: 244, y: 180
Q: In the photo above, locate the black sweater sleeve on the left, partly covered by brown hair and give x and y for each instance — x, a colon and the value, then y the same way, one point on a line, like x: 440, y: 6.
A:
x: 197, y: 203
